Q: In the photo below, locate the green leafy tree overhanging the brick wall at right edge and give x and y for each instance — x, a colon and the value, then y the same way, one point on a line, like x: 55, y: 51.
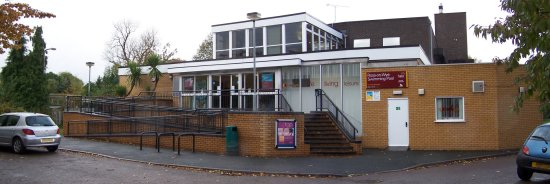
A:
x: 527, y: 28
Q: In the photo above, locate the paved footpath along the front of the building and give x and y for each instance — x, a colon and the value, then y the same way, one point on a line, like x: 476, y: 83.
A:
x: 371, y: 161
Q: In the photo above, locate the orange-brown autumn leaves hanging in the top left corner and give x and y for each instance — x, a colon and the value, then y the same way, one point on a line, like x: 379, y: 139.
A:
x: 11, y: 31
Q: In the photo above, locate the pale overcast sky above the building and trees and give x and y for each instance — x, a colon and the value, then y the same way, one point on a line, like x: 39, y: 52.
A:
x: 82, y: 28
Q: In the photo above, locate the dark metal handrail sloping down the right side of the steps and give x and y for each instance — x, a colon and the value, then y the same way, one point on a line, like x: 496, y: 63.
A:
x: 323, y: 102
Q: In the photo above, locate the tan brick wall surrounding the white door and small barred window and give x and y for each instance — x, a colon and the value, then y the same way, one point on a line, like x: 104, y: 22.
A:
x: 489, y: 123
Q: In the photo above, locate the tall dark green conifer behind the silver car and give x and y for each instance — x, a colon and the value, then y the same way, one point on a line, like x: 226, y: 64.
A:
x: 27, y: 86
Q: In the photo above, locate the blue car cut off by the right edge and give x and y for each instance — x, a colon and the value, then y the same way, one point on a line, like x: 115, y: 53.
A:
x: 535, y: 153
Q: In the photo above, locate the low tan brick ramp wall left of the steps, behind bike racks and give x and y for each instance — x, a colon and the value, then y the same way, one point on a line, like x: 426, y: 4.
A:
x: 256, y: 134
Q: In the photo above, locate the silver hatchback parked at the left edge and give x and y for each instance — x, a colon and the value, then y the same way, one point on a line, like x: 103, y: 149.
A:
x: 23, y: 129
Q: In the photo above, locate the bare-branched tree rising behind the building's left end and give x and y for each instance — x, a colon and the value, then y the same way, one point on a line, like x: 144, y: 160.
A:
x: 124, y: 47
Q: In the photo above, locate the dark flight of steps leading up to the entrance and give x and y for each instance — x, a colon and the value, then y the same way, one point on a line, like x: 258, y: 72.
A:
x: 324, y: 137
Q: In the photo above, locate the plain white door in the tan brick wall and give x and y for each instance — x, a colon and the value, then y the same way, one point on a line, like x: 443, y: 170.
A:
x: 398, y: 123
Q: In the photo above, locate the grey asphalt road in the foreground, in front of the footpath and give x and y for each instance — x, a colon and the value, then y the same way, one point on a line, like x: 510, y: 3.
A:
x: 39, y: 166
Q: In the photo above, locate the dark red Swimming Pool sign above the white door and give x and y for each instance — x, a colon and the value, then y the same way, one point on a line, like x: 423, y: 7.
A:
x: 394, y: 79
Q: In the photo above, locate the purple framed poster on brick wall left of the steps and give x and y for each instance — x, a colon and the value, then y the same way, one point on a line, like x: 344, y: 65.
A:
x: 285, y: 134
